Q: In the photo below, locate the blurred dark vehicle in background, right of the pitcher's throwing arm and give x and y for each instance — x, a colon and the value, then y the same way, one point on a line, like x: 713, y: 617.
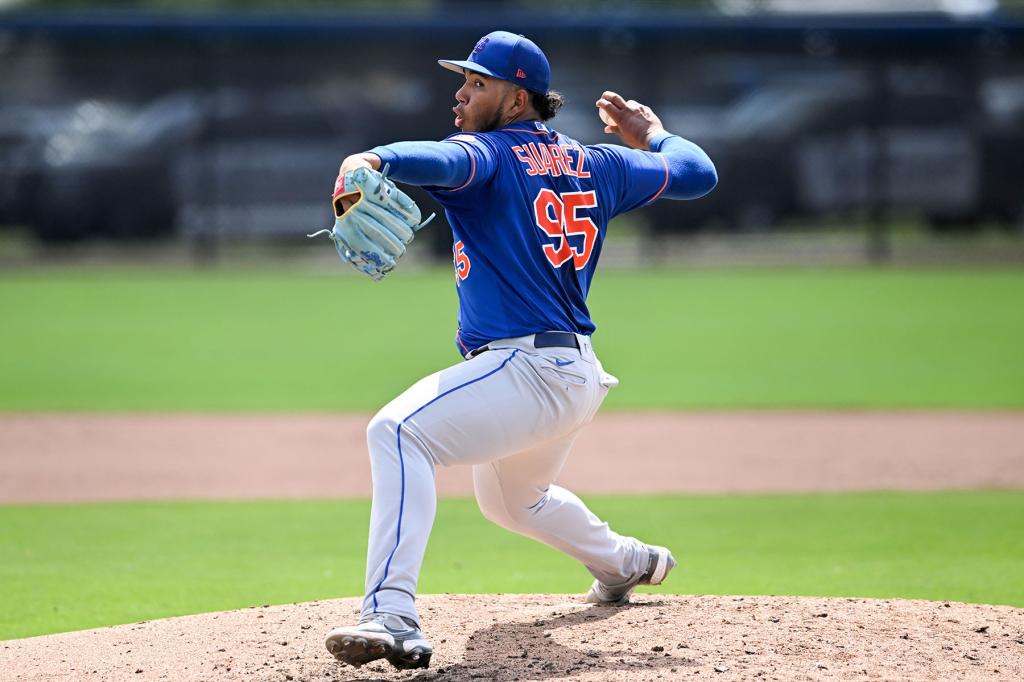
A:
x: 924, y: 143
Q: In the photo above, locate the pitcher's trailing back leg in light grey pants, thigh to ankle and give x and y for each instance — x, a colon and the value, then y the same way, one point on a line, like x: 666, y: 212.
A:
x: 517, y: 493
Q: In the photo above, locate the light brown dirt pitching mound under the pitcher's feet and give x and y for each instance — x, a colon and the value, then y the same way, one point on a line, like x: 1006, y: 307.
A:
x: 557, y: 637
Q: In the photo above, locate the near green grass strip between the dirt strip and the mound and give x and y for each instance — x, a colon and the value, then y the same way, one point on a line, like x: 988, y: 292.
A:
x: 75, y: 567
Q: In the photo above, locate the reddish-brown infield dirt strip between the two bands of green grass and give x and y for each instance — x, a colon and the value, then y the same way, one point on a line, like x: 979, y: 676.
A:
x: 80, y: 458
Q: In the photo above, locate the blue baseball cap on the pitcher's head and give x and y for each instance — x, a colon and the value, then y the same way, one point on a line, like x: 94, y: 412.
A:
x: 508, y: 57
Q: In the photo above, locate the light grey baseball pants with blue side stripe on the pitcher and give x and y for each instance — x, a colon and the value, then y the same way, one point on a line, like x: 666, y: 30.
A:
x: 513, y: 413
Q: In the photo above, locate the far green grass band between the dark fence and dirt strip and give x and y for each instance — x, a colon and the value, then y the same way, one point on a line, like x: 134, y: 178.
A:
x: 130, y: 339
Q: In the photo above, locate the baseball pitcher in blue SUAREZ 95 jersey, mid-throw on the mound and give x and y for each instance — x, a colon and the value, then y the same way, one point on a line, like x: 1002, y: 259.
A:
x: 529, y: 208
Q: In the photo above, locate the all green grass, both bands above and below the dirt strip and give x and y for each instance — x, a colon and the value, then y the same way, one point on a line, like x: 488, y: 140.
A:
x: 131, y: 339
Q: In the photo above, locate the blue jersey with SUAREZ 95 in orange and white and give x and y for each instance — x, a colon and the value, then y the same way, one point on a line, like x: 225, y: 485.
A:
x: 529, y: 226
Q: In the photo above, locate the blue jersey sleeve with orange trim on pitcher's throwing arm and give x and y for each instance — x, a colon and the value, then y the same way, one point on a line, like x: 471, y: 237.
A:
x: 628, y: 179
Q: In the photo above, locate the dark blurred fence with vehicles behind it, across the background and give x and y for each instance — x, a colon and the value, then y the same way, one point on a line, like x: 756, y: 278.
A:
x: 139, y: 126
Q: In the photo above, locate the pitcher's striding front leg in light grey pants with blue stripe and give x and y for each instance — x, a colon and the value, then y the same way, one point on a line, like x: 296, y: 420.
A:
x: 473, y: 410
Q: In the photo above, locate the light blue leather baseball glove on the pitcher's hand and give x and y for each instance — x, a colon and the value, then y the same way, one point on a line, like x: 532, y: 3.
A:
x: 374, y: 233
